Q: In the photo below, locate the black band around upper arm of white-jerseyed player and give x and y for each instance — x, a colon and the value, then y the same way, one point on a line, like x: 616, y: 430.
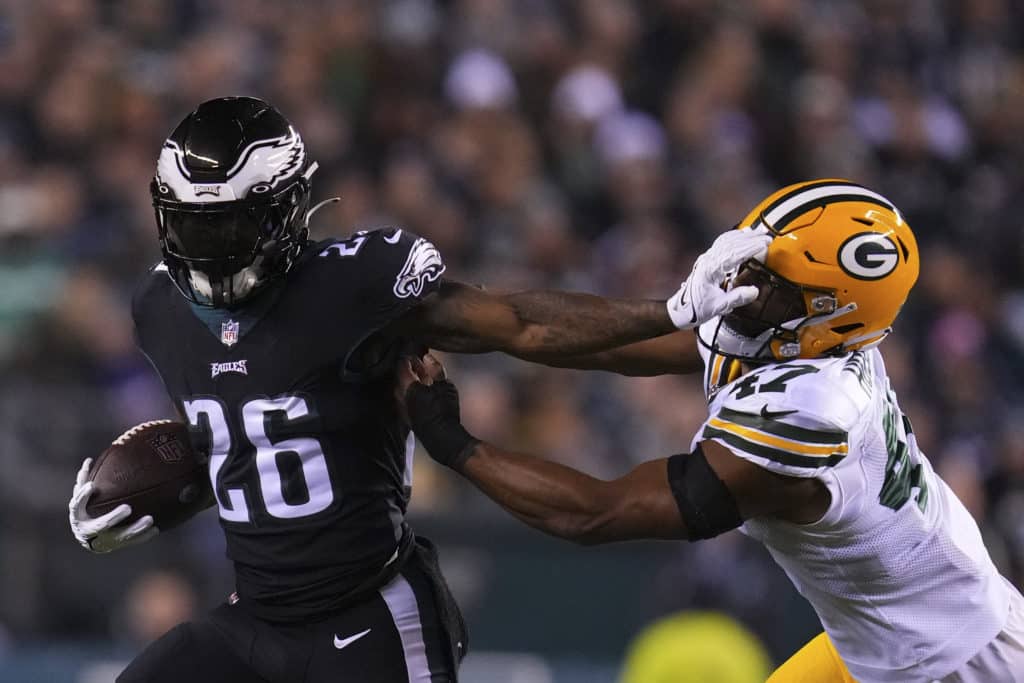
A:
x: 705, y: 502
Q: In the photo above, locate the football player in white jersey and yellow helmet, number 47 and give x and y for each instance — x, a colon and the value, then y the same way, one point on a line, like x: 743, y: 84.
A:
x: 805, y: 449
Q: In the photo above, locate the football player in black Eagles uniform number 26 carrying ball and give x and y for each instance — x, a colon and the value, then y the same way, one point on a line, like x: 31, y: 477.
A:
x: 280, y: 355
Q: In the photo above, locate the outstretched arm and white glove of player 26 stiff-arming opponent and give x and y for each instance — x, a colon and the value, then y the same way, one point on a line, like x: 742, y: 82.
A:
x: 566, y: 329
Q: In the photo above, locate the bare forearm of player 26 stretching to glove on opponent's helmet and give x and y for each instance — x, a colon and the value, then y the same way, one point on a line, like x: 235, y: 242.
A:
x: 560, y: 325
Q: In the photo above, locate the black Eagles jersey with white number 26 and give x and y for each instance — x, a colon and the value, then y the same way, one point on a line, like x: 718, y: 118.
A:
x: 310, y: 460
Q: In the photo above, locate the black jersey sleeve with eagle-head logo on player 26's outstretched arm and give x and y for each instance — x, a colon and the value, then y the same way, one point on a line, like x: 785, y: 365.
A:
x: 392, y: 271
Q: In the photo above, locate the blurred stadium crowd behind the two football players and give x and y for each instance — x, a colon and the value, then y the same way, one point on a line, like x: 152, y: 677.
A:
x: 593, y: 146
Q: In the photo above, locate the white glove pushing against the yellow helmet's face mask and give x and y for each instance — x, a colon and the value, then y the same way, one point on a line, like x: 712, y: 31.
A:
x: 702, y: 296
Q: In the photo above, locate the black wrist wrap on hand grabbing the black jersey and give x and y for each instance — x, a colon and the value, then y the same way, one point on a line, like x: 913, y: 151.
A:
x: 434, y: 412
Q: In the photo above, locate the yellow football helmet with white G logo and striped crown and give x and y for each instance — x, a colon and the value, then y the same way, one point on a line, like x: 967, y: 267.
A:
x: 840, y: 266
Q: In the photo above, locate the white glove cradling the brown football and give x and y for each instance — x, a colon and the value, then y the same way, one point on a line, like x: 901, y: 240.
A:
x: 102, y: 535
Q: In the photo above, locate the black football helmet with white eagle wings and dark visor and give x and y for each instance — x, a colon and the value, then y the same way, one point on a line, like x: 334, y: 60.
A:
x: 232, y: 197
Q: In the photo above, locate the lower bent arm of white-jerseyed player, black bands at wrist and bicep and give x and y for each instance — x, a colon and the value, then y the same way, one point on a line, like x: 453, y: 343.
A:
x: 691, y: 496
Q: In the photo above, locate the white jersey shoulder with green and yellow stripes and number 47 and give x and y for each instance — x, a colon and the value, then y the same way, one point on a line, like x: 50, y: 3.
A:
x: 792, y: 418
